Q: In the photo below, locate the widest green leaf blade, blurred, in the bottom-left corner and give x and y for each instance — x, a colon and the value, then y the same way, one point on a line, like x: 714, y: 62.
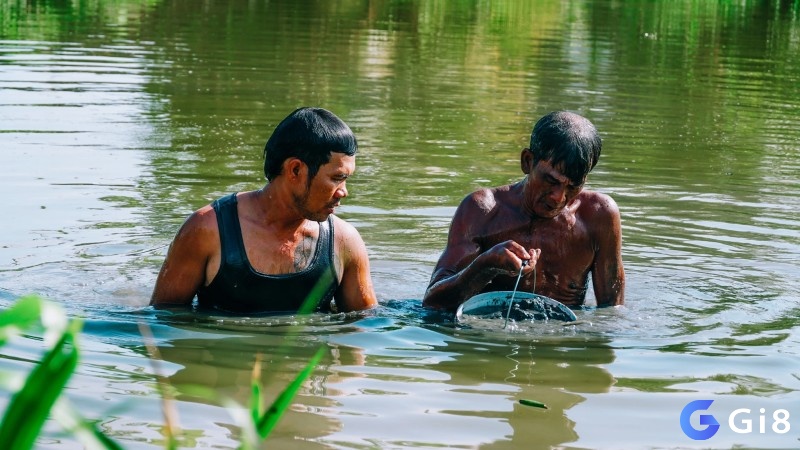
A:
x: 30, y: 407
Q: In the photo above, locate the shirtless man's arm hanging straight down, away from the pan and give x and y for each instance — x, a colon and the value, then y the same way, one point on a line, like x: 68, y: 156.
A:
x: 608, y: 274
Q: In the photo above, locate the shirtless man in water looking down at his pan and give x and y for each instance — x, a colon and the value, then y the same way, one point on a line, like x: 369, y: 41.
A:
x: 547, y: 219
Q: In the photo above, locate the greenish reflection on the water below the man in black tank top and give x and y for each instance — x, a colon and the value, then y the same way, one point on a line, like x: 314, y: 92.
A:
x: 224, y: 364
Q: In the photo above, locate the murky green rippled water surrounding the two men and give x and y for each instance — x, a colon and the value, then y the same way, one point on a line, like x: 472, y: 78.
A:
x: 117, y: 119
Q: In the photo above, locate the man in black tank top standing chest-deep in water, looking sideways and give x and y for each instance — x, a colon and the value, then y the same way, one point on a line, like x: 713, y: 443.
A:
x: 279, y: 249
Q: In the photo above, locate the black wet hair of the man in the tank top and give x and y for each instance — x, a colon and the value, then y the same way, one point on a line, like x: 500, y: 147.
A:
x: 310, y: 135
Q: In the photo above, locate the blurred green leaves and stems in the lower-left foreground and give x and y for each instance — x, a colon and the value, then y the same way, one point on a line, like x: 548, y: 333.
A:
x: 39, y: 395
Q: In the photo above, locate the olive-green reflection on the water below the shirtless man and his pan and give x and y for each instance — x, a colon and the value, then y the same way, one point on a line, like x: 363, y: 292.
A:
x: 553, y: 372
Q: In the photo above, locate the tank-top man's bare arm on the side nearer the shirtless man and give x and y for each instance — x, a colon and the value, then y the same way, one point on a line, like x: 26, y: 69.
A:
x: 355, y: 292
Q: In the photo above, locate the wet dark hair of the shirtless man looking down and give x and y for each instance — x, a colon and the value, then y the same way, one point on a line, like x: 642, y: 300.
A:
x: 569, y: 142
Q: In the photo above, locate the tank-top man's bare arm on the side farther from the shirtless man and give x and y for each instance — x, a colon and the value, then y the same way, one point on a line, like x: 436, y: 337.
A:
x: 184, y: 268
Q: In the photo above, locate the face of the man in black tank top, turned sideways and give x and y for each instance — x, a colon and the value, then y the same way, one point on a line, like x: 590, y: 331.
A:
x: 328, y: 187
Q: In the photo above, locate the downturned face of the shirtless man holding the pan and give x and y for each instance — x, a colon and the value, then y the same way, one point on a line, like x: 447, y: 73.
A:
x: 549, y: 190
